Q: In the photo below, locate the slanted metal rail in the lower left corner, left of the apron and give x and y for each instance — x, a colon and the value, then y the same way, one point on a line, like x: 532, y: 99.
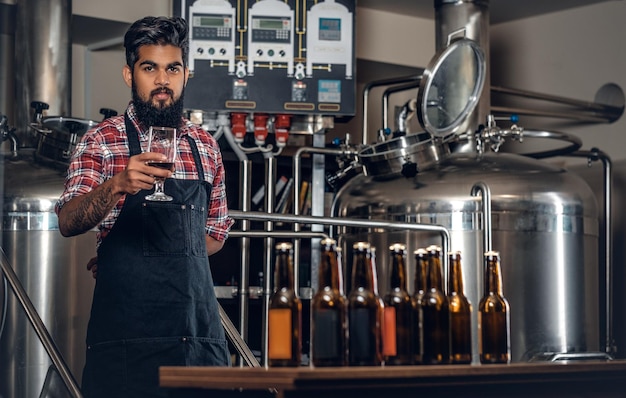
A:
x: 40, y: 328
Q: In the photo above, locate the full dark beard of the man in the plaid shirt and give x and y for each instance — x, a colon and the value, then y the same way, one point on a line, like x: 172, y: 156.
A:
x: 162, y: 115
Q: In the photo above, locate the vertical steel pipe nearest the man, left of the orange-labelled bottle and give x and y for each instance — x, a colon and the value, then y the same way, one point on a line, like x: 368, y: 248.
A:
x: 244, y: 279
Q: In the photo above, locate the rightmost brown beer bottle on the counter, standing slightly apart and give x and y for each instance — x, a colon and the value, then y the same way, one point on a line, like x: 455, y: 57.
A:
x: 494, y: 315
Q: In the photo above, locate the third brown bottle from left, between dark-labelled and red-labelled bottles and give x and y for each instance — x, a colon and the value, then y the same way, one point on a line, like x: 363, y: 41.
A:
x: 364, y: 312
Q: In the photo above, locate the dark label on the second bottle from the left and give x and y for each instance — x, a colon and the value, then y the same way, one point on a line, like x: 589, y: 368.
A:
x: 327, y: 337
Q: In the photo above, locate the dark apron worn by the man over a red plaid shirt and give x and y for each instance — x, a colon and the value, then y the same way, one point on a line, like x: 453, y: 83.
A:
x: 154, y: 303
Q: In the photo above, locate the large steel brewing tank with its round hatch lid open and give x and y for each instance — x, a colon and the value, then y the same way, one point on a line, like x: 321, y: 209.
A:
x: 544, y: 220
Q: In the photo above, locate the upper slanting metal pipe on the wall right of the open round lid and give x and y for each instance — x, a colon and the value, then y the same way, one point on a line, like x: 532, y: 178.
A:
x: 603, y: 112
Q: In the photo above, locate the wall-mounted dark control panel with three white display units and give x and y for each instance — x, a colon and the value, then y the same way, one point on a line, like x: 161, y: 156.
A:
x: 271, y: 56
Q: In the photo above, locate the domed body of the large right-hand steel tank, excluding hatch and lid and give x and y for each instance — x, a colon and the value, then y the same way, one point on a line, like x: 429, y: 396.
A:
x: 544, y: 224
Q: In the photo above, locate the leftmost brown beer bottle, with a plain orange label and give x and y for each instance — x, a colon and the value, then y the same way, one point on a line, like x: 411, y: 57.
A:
x: 285, y: 312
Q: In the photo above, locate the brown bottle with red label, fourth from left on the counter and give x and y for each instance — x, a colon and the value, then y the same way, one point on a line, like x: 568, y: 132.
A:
x: 397, y: 333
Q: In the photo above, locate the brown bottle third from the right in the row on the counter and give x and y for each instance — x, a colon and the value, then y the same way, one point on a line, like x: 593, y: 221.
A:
x: 435, y: 313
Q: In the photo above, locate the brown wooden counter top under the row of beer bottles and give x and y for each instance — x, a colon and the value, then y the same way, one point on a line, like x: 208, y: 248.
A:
x: 589, y: 379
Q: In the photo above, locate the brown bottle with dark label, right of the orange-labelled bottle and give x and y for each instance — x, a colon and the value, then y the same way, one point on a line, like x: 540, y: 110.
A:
x: 329, y: 310
